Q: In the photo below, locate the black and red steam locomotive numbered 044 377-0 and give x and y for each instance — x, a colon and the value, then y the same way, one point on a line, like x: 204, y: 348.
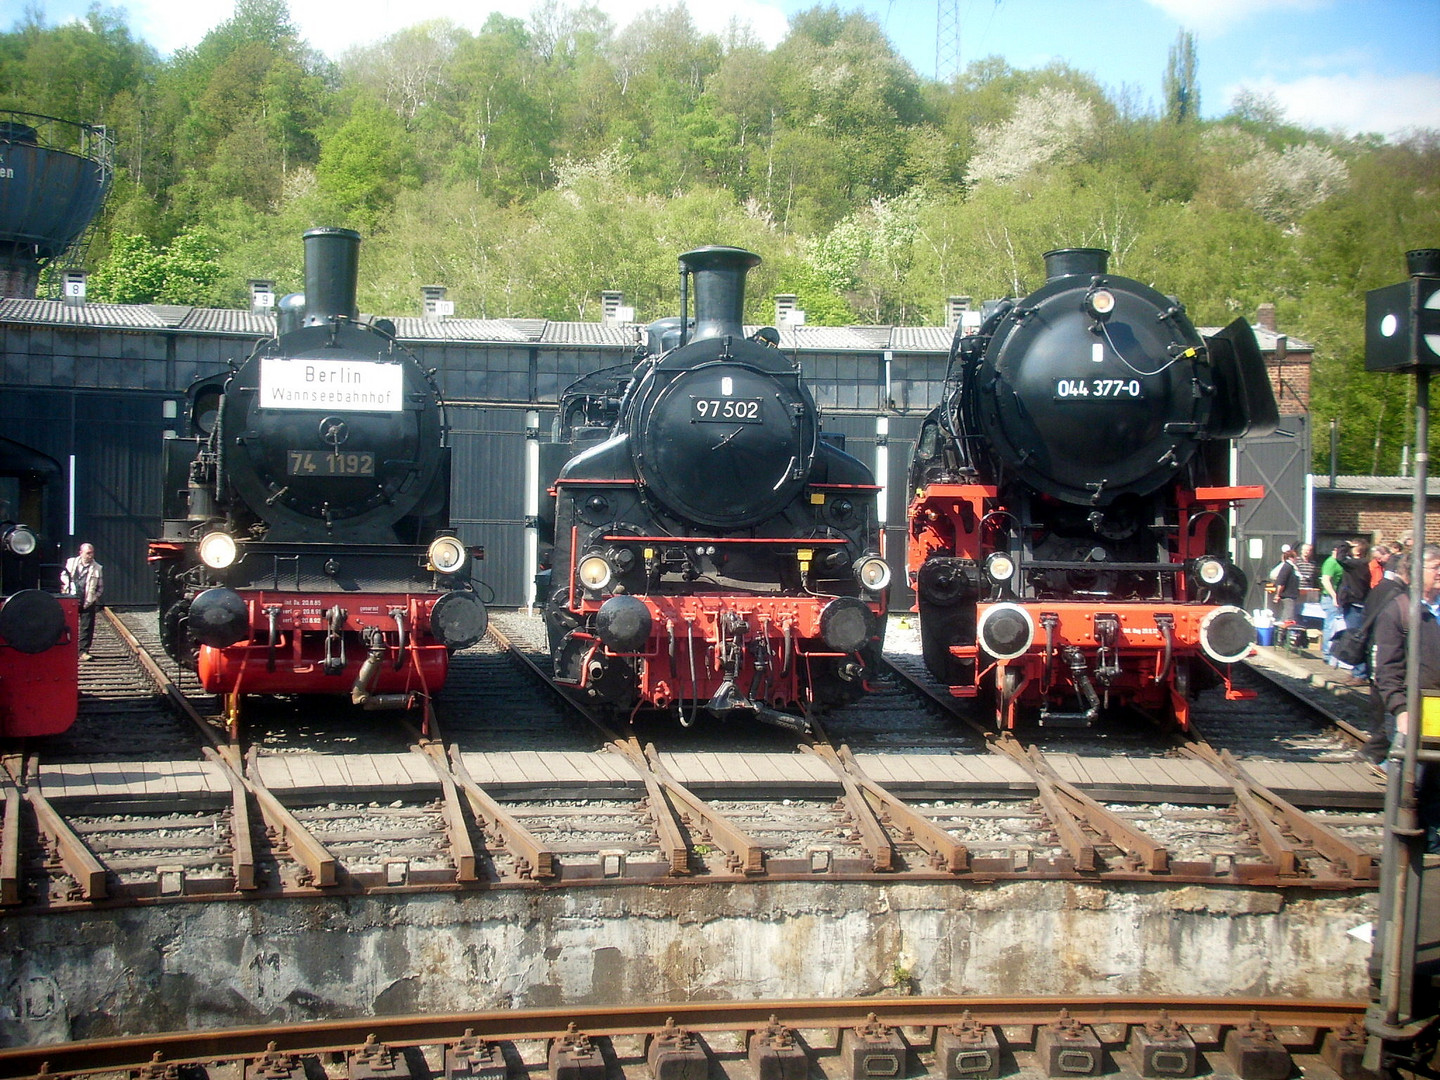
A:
x: 1069, y: 521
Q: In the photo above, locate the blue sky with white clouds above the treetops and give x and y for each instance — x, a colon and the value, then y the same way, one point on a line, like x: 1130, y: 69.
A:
x: 1338, y: 66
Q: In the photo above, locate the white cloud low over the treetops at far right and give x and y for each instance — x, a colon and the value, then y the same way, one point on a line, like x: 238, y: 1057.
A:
x: 1354, y: 104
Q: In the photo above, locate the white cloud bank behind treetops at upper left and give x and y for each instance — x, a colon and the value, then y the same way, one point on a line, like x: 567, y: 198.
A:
x: 332, y: 27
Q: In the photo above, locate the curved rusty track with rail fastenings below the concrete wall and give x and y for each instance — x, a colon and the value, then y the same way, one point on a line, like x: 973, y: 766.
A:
x: 862, y: 1040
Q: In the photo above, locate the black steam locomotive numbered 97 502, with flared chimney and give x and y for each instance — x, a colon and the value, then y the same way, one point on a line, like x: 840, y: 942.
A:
x: 712, y: 551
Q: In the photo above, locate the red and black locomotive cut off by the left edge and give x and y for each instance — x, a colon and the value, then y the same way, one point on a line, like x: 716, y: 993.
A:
x: 40, y: 660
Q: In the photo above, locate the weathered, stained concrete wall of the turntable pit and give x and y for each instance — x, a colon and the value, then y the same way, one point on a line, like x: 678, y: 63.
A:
x: 189, y: 966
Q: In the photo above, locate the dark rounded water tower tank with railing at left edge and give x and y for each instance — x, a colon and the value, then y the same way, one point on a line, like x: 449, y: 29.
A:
x: 54, y: 178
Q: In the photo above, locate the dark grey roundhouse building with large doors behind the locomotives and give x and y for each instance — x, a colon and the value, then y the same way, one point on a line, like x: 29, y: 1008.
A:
x: 99, y: 387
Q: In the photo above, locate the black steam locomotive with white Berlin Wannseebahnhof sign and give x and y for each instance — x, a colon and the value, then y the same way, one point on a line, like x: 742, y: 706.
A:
x: 307, y: 545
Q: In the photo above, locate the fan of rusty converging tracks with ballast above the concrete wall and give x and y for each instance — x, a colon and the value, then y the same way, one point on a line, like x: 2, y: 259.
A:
x: 525, y: 788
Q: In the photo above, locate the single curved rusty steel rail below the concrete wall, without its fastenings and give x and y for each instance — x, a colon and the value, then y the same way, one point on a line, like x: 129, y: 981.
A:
x: 186, y: 1048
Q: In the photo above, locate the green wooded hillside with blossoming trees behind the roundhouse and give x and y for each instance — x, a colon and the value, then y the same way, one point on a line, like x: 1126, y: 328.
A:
x: 538, y: 162
